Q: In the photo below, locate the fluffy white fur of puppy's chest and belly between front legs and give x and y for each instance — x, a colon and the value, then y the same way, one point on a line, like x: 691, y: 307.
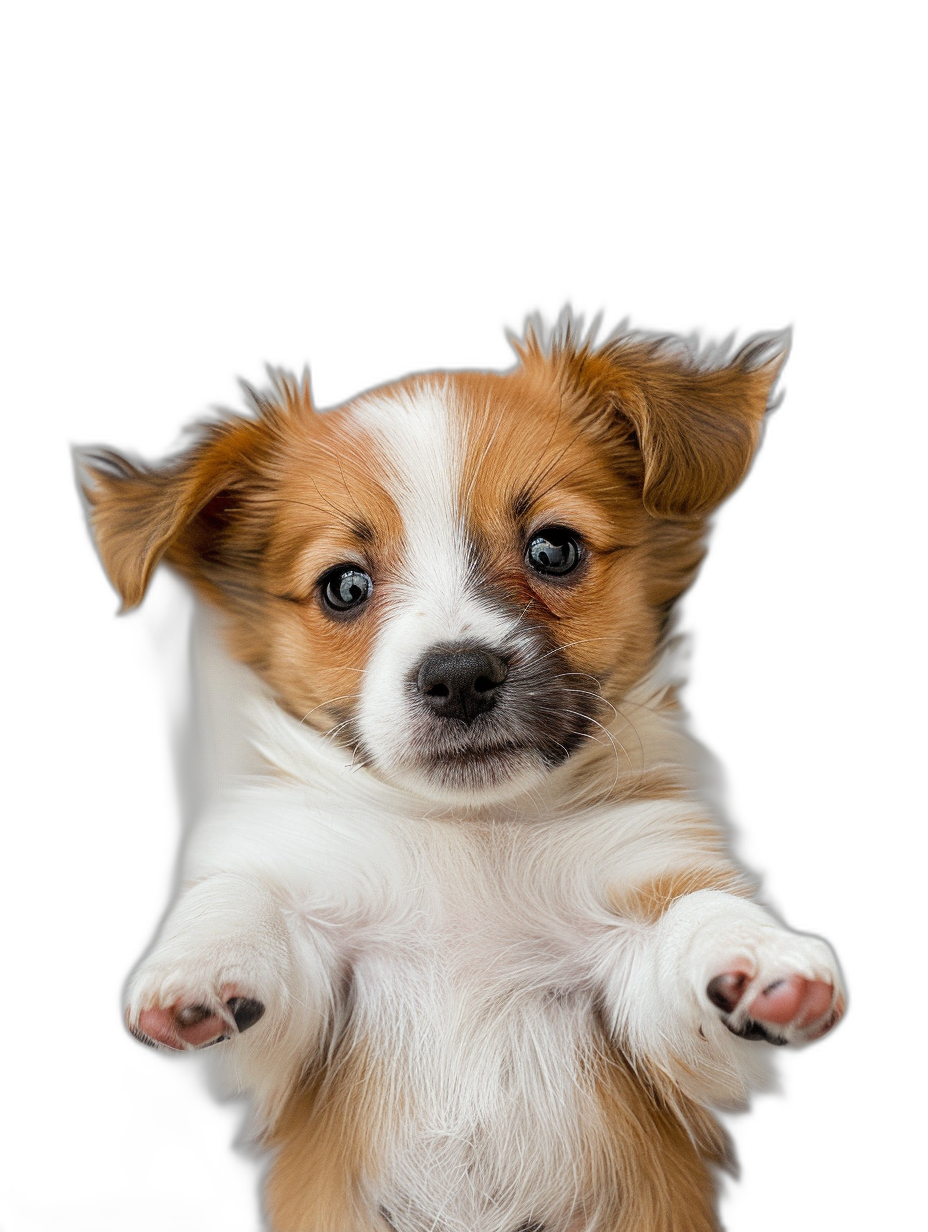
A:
x: 475, y: 1013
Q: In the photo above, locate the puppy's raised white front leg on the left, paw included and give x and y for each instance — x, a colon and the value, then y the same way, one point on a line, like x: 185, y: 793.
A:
x: 224, y: 960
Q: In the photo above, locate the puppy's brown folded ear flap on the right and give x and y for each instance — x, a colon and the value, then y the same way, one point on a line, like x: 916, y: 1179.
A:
x: 698, y: 418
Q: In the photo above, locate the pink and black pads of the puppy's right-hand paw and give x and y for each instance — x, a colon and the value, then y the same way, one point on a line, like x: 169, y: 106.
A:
x: 796, y: 1007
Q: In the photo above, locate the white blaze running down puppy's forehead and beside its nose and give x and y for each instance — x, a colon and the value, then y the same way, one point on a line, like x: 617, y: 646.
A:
x: 421, y: 447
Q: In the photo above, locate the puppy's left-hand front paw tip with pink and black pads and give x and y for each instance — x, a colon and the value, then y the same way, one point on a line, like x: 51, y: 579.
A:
x: 188, y: 1015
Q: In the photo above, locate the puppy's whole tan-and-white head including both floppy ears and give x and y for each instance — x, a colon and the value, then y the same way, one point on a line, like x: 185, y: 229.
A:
x: 460, y: 575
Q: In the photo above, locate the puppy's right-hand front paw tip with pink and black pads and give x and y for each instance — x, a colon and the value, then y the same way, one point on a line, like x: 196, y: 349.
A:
x: 786, y: 989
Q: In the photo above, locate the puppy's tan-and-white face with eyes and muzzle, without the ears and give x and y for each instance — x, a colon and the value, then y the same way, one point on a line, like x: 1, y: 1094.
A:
x: 470, y: 585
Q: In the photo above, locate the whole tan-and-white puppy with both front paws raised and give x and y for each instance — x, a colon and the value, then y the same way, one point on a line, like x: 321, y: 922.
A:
x: 457, y: 910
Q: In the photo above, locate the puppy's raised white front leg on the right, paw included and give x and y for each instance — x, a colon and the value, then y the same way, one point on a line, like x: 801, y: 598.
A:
x: 715, y: 976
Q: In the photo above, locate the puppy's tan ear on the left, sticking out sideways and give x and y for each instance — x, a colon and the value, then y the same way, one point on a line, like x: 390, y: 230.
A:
x: 141, y: 514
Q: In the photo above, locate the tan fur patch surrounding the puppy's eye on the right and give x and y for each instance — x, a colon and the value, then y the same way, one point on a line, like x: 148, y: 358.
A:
x: 532, y: 465
